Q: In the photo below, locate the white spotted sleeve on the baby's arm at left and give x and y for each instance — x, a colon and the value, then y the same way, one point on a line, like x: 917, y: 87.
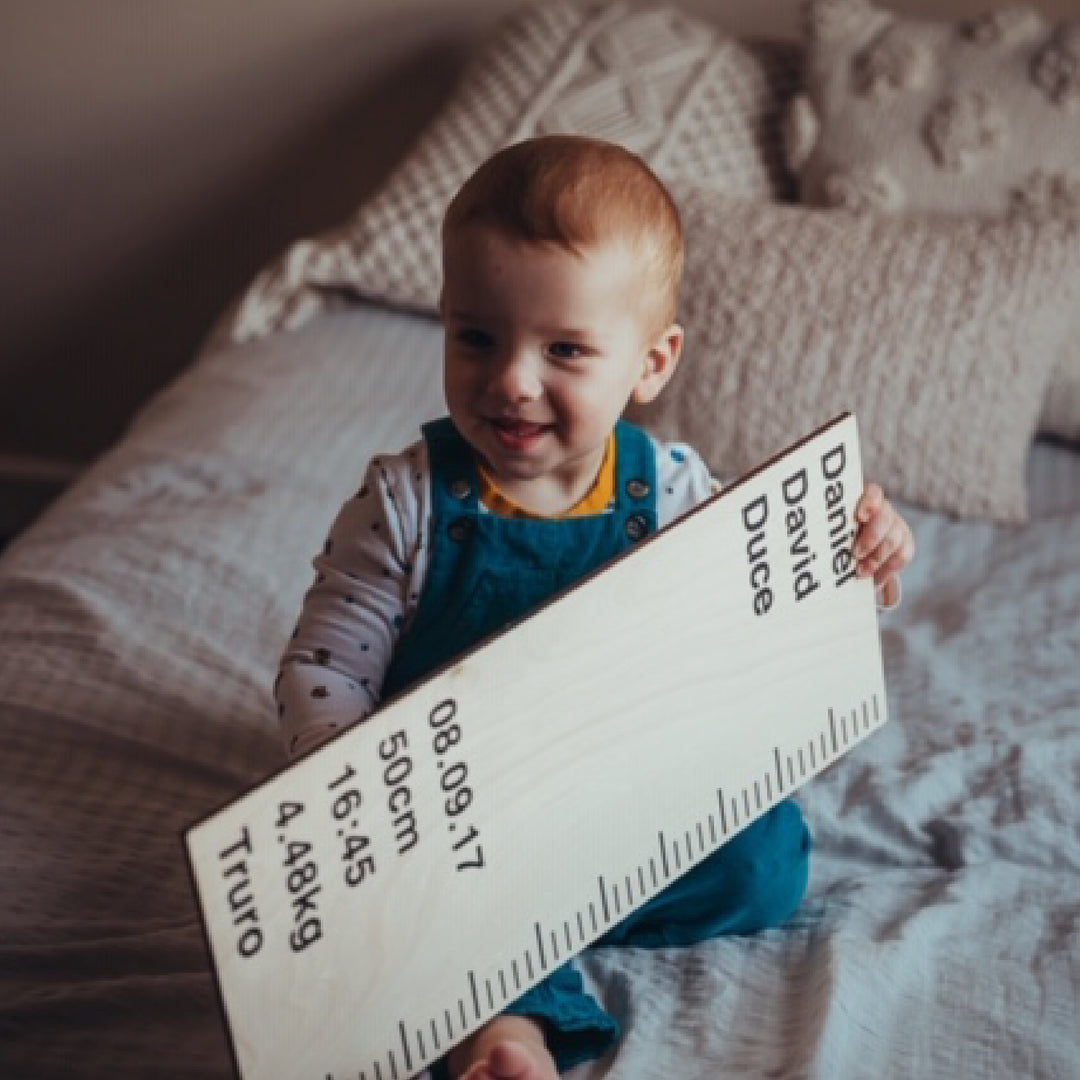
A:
x: 367, y: 585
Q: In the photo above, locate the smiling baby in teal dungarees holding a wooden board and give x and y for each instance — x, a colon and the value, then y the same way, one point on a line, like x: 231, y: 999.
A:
x: 562, y: 260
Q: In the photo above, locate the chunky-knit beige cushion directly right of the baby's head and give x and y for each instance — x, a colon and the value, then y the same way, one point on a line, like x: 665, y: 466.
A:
x: 937, y: 334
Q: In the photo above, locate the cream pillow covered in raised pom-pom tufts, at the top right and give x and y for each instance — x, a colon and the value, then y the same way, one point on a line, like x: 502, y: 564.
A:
x: 981, y: 116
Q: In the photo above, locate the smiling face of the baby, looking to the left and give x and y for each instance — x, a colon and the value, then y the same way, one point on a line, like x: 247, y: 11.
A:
x: 544, y: 350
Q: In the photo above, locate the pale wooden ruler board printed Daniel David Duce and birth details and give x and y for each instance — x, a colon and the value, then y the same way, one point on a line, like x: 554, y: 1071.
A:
x: 375, y: 902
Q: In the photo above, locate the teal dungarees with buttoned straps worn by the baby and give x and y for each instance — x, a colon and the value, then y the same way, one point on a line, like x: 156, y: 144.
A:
x: 485, y: 572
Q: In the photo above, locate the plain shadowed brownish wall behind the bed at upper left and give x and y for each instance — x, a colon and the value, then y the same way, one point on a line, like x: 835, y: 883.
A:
x: 156, y: 155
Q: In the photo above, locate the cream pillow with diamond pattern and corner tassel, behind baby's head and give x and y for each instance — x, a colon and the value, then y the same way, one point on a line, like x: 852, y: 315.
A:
x: 691, y: 101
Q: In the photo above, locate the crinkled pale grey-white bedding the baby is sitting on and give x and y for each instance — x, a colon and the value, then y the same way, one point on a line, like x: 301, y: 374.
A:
x: 141, y: 623
